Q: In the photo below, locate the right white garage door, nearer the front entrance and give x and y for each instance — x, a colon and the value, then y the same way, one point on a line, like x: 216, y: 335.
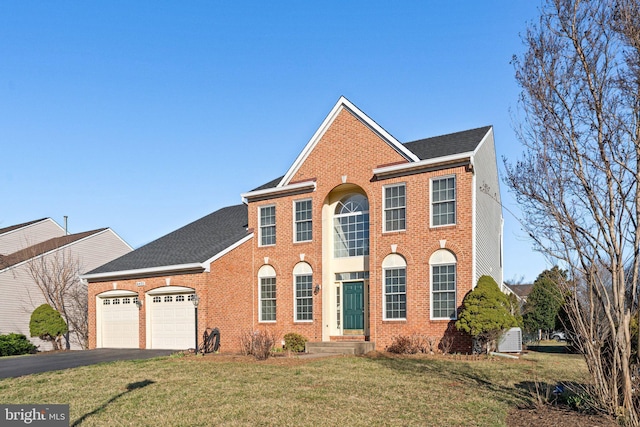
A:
x: 173, y: 322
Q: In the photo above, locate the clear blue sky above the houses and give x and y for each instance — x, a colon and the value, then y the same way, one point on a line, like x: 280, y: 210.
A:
x: 144, y: 116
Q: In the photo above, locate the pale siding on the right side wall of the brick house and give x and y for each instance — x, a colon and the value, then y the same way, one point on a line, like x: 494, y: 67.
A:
x: 488, y: 211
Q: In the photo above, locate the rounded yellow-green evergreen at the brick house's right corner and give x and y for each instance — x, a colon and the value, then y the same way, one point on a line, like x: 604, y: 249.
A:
x: 485, y: 313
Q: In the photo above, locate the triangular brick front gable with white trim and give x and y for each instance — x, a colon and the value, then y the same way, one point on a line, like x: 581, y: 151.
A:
x: 349, y: 141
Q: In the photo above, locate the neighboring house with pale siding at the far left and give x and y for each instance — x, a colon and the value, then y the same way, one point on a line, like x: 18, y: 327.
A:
x: 26, y: 243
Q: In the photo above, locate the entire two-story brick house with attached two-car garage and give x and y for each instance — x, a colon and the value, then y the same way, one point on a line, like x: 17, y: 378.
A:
x: 364, y: 238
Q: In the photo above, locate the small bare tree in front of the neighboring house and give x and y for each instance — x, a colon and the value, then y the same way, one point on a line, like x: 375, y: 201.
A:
x: 57, y: 275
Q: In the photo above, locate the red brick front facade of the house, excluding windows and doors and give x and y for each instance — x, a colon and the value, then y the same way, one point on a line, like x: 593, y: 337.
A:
x: 344, y: 157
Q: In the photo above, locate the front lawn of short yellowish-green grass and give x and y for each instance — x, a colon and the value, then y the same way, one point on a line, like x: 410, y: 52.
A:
x: 381, y: 390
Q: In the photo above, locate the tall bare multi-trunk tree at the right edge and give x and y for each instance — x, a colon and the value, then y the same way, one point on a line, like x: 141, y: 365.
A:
x: 577, y: 181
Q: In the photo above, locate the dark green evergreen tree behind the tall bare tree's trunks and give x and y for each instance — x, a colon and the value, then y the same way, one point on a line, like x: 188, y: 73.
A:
x: 544, y: 302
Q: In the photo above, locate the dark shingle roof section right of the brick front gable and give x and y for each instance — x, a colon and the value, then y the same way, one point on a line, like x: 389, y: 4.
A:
x: 446, y: 145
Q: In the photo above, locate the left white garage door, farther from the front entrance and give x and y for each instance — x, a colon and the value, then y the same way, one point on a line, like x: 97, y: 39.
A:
x: 120, y: 322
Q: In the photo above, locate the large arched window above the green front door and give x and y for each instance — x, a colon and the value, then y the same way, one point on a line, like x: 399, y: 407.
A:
x: 351, y: 227
